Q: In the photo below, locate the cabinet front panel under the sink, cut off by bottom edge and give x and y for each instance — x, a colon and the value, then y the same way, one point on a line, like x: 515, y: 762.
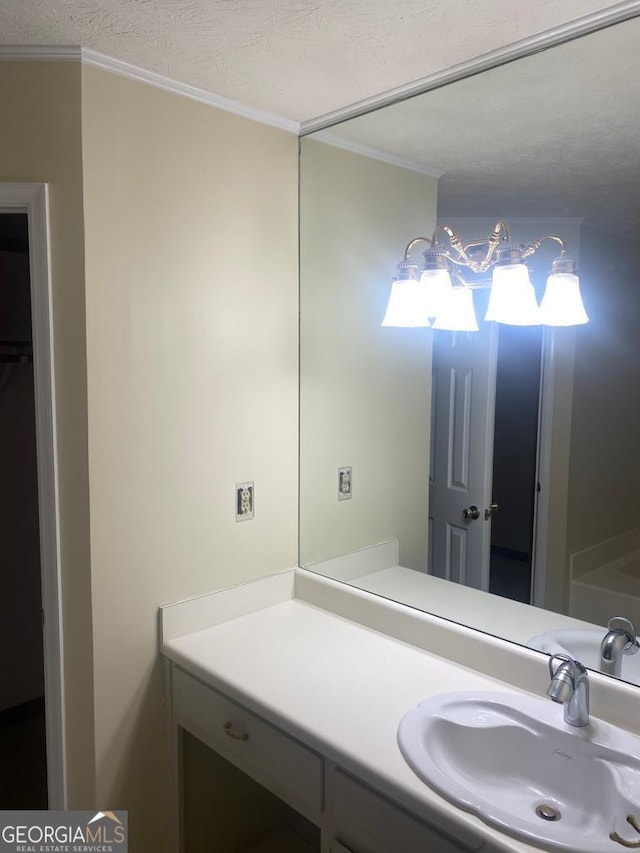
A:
x: 366, y: 822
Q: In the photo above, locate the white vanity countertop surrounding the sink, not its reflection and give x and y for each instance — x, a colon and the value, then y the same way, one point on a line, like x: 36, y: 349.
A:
x: 341, y: 688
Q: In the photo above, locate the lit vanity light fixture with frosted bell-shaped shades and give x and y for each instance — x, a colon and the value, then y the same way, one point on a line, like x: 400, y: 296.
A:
x: 440, y: 293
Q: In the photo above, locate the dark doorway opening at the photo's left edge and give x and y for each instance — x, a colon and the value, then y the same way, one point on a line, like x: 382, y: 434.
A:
x: 23, y: 782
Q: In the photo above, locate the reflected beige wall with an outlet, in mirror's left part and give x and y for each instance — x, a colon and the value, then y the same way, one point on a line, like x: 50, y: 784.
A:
x: 364, y: 390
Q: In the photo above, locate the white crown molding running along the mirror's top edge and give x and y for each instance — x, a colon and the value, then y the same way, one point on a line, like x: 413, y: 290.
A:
x: 492, y: 59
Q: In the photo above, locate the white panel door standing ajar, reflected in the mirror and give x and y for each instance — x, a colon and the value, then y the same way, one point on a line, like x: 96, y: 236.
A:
x: 462, y: 412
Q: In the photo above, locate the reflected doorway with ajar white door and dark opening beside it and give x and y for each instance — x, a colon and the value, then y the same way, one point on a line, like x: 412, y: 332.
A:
x: 486, y: 393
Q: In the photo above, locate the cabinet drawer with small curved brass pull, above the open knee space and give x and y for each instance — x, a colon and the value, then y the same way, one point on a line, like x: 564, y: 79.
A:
x: 291, y: 771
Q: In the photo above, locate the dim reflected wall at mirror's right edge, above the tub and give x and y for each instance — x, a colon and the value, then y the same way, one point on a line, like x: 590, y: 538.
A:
x: 605, y: 458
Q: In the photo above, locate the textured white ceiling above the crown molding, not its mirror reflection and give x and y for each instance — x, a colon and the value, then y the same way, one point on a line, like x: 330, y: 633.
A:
x: 297, y: 58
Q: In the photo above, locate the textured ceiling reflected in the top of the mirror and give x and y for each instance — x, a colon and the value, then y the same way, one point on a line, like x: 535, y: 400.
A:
x: 553, y: 134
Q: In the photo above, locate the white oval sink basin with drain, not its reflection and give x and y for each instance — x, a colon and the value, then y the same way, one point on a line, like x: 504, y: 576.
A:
x: 511, y: 759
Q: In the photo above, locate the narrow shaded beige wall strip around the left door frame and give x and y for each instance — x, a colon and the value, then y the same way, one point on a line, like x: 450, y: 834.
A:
x: 41, y: 141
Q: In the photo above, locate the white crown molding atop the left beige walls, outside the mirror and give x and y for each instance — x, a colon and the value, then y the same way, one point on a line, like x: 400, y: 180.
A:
x: 58, y: 53
